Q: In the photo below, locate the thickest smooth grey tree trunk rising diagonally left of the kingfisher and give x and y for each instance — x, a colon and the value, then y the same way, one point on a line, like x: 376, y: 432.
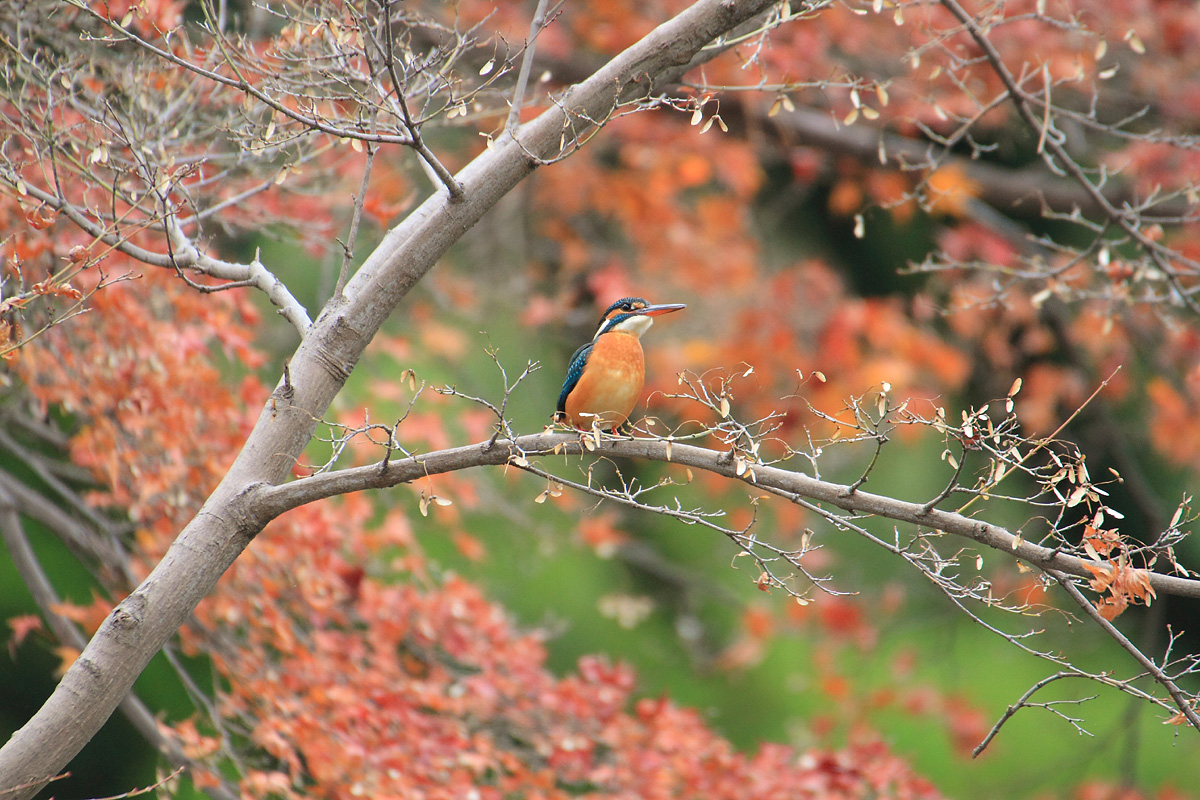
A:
x: 231, y: 519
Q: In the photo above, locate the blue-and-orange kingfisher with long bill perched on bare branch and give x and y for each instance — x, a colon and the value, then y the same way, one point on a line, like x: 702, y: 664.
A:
x: 607, y: 375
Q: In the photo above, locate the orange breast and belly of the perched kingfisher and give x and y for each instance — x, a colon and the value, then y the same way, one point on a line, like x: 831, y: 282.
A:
x: 611, y: 383
